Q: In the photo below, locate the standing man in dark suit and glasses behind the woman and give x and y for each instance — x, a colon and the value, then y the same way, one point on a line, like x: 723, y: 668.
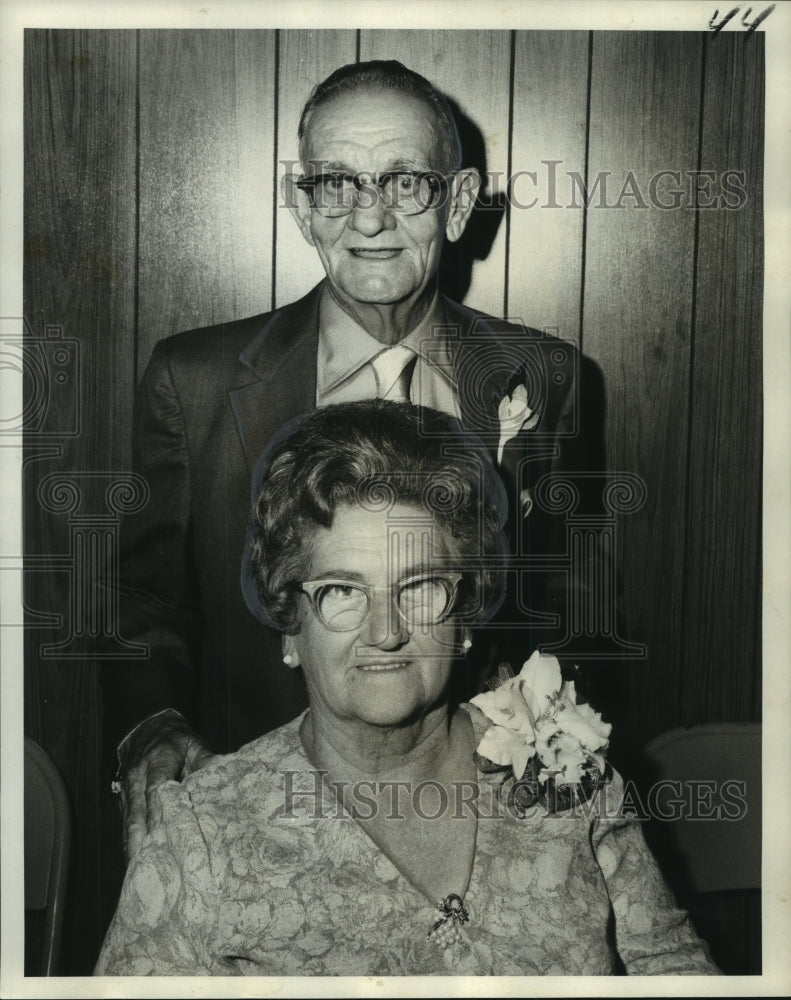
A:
x: 382, y: 189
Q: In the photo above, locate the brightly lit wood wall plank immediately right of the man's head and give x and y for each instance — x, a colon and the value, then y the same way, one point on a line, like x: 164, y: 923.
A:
x: 473, y: 69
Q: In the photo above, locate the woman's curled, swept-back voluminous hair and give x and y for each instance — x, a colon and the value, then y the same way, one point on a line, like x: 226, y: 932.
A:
x: 372, y: 454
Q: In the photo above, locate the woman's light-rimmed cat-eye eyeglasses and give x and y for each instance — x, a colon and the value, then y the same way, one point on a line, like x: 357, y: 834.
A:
x: 343, y: 605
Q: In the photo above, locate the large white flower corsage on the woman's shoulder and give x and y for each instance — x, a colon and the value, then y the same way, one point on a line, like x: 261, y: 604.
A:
x: 541, y: 733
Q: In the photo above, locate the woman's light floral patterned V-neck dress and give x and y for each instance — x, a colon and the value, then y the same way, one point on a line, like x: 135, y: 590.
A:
x: 255, y: 869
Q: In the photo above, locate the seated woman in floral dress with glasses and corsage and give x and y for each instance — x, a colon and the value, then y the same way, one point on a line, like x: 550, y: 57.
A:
x: 391, y: 830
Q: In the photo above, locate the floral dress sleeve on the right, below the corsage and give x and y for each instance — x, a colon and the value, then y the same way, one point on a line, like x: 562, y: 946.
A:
x: 653, y: 936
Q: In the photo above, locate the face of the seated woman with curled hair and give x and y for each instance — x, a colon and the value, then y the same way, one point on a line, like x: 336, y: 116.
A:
x: 383, y: 672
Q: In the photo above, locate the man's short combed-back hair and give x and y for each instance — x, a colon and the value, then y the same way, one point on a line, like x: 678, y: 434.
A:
x: 385, y: 74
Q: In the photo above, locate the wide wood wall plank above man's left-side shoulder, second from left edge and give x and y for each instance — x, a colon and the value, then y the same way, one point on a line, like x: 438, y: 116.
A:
x: 206, y: 173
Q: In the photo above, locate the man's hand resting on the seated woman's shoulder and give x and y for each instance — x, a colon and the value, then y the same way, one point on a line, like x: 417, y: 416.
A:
x: 162, y: 748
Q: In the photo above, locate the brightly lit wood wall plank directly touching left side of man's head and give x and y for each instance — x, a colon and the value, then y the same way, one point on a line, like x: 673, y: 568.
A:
x: 305, y: 59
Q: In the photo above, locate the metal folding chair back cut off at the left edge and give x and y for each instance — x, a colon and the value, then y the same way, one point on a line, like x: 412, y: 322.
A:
x: 47, y: 846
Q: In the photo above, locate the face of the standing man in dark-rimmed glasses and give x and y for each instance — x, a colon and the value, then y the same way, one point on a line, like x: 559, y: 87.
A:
x: 373, y: 254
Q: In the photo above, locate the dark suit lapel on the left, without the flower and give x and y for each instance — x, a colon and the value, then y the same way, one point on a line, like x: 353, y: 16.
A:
x: 282, y: 356
